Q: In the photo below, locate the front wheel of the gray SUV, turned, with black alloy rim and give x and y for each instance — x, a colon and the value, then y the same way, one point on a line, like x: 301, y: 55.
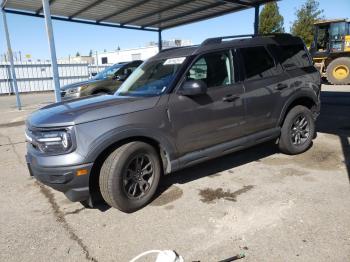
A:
x: 116, y: 178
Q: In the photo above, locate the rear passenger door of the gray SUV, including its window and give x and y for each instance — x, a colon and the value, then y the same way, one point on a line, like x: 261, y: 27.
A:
x: 265, y: 84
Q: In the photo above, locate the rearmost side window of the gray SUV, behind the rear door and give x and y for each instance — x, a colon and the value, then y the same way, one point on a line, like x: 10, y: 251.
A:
x: 292, y: 56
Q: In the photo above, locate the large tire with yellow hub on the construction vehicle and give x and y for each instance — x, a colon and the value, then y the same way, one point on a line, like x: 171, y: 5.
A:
x: 342, y: 65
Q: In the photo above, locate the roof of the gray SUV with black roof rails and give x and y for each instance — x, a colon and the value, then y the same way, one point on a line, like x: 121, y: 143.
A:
x: 218, y: 43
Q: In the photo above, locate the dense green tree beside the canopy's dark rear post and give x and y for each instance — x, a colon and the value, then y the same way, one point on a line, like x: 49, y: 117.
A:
x: 270, y: 20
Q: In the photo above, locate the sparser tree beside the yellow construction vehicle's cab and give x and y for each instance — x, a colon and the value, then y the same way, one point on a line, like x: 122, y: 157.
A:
x: 307, y: 15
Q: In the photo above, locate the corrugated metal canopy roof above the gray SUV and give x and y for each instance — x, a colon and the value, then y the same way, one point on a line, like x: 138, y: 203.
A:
x: 137, y: 14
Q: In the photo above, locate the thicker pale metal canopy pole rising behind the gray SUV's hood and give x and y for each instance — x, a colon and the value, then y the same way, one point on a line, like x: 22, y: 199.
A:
x: 49, y: 30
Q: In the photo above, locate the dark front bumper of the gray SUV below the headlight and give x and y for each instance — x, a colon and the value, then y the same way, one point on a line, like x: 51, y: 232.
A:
x: 64, y: 178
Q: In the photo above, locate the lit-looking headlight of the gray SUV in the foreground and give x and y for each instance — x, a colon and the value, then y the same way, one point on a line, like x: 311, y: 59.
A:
x: 51, y: 142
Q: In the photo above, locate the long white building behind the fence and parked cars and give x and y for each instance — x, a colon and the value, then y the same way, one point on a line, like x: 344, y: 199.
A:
x: 141, y: 53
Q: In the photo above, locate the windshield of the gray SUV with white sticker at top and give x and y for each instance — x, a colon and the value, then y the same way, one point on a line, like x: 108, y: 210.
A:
x: 151, y: 78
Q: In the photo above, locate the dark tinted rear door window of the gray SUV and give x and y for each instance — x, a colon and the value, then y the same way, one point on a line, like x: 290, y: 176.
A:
x: 258, y: 63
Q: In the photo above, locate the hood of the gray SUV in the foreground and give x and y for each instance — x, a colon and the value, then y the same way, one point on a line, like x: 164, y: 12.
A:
x: 88, y: 109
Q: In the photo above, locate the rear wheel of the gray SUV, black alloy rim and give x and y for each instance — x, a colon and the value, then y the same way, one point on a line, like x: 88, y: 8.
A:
x: 292, y: 131
